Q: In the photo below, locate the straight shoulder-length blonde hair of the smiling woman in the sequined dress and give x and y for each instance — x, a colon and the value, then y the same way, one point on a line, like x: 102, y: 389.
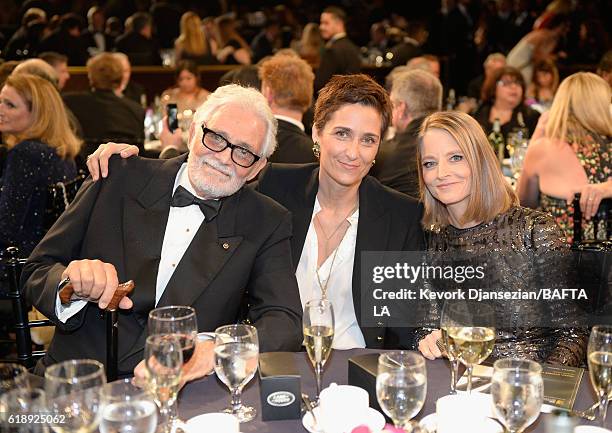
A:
x: 490, y: 194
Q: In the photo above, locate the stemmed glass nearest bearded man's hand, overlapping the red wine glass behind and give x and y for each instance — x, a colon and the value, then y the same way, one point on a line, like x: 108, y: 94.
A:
x: 163, y: 362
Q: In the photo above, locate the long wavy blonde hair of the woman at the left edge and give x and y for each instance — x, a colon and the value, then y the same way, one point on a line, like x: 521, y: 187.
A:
x: 49, y: 119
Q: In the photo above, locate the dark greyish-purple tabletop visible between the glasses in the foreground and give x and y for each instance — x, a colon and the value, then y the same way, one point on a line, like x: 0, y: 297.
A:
x: 211, y: 395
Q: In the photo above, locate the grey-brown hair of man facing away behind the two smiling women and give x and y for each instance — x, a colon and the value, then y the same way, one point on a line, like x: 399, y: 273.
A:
x: 420, y: 90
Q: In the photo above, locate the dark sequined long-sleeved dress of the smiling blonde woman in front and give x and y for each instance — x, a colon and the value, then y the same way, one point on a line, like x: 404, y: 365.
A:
x: 537, y: 241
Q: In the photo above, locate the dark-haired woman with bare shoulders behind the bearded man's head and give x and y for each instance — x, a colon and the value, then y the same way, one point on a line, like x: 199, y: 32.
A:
x: 187, y: 94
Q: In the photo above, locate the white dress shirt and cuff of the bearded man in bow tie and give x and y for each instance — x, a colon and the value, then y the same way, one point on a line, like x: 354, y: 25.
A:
x: 183, y: 224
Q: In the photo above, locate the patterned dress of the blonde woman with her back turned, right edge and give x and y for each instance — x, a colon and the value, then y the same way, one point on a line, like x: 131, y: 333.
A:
x: 594, y: 156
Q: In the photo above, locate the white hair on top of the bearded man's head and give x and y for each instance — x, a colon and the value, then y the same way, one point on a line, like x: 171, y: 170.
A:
x: 247, y: 98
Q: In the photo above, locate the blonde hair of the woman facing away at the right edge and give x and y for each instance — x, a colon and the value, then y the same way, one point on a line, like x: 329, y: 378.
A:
x: 581, y: 106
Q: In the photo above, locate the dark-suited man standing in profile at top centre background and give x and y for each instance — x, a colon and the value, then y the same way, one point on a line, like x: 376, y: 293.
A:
x: 340, y: 55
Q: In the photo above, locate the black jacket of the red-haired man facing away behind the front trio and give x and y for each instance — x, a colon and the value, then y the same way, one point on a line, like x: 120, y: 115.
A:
x: 294, y: 146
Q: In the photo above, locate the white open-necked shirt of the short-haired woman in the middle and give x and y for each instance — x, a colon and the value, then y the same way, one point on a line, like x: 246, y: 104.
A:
x: 340, y: 287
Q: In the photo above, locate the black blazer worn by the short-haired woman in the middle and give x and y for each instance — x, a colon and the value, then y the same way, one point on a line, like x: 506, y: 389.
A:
x: 388, y: 221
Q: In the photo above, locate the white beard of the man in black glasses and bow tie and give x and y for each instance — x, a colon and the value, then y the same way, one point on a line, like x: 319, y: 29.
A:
x: 207, y: 182
